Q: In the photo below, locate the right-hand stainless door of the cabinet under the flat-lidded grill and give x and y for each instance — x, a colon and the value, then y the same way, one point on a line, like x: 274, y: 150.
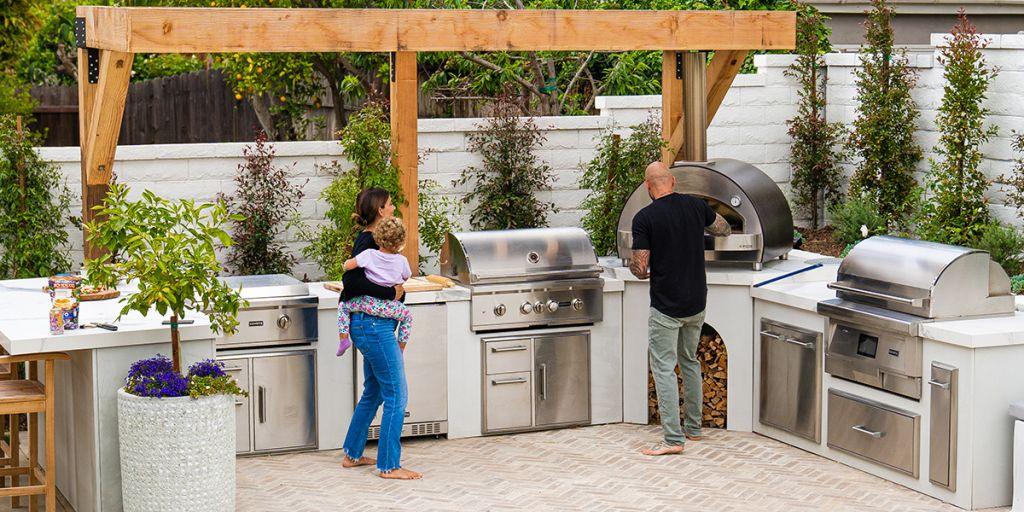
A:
x: 285, y: 408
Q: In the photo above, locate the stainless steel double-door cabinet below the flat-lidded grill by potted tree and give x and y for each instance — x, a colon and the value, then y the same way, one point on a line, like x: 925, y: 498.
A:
x: 281, y: 411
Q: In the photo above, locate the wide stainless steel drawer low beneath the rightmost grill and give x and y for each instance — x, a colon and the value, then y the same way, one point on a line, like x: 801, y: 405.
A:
x: 875, y: 432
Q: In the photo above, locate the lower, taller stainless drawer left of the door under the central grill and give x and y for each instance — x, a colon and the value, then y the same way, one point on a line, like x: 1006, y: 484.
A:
x: 508, y: 402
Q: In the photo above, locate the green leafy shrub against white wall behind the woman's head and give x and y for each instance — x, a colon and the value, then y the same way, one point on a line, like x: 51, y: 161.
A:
x: 367, y: 145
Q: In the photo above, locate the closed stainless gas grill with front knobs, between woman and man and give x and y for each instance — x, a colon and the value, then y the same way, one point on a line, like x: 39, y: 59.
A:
x: 522, y: 279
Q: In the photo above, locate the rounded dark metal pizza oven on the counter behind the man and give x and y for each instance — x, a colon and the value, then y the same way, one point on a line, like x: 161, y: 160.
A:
x: 749, y: 199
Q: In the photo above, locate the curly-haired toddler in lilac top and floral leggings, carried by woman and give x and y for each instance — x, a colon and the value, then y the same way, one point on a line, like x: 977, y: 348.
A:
x: 387, y: 268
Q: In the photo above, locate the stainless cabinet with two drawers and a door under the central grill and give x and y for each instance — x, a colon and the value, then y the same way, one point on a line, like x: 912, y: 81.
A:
x: 533, y: 383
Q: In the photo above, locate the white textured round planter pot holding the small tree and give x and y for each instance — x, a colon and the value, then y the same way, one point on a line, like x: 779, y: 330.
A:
x: 177, y: 454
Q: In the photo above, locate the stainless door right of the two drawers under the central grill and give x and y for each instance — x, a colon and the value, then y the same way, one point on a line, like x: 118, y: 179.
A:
x: 562, y: 376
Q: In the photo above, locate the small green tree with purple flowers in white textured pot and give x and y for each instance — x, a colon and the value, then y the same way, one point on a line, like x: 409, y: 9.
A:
x: 177, y: 433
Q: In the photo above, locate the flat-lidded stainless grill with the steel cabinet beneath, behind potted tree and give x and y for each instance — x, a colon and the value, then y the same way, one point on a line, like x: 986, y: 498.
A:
x: 273, y: 358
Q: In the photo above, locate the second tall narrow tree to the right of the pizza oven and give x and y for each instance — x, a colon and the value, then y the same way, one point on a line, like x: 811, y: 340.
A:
x: 887, y: 116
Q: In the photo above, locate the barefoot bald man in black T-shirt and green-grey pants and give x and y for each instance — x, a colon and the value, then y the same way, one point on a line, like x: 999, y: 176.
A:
x: 668, y: 247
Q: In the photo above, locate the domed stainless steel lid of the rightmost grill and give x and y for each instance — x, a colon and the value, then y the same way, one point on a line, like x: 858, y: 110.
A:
x: 924, y: 279
